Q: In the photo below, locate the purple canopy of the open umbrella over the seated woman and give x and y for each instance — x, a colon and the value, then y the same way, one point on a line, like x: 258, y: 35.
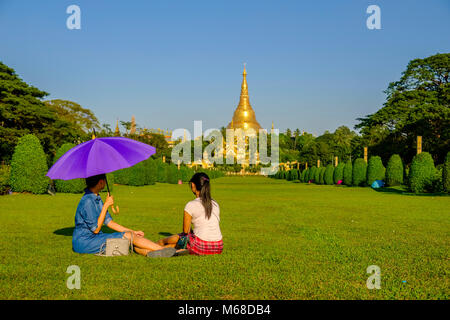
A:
x: 99, y: 156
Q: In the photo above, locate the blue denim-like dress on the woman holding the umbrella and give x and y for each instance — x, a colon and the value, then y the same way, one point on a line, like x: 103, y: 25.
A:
x: 84, y: 240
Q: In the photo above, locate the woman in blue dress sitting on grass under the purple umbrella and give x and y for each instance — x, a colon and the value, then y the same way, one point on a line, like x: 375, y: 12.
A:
x: 92, y: 214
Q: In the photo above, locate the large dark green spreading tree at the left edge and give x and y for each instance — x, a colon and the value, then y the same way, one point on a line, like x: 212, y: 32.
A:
x: 23, y: 112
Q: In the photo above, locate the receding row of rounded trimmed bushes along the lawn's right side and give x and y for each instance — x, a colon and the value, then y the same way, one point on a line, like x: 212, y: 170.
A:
x: 422, y: 176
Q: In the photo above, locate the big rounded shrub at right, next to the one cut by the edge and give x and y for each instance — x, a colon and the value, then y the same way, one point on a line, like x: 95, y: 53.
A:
x: 422, y: 173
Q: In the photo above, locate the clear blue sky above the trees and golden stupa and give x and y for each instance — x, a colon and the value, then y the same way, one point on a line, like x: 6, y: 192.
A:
x: 311, y: 65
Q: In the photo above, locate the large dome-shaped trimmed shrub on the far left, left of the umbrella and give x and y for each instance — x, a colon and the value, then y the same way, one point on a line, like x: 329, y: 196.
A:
x: 29, y: 166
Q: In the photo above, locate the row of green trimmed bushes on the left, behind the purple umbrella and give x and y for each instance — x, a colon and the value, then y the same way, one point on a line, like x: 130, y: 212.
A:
x: 29, y: 168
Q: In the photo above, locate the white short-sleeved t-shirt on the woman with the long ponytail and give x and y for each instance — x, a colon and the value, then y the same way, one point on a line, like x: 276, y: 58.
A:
x: 204, y: 228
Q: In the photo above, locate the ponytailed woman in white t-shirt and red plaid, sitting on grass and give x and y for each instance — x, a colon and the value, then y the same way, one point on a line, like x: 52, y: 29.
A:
x: 203, y: 213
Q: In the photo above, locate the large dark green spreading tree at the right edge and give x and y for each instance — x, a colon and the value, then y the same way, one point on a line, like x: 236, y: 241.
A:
x: 416, y: 105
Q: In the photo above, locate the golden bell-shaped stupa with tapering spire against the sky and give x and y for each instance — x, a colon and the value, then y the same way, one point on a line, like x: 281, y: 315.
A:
x: 244, y: 116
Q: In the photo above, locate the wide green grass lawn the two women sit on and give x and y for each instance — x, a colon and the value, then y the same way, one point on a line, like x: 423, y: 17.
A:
x: 282, y: 240
